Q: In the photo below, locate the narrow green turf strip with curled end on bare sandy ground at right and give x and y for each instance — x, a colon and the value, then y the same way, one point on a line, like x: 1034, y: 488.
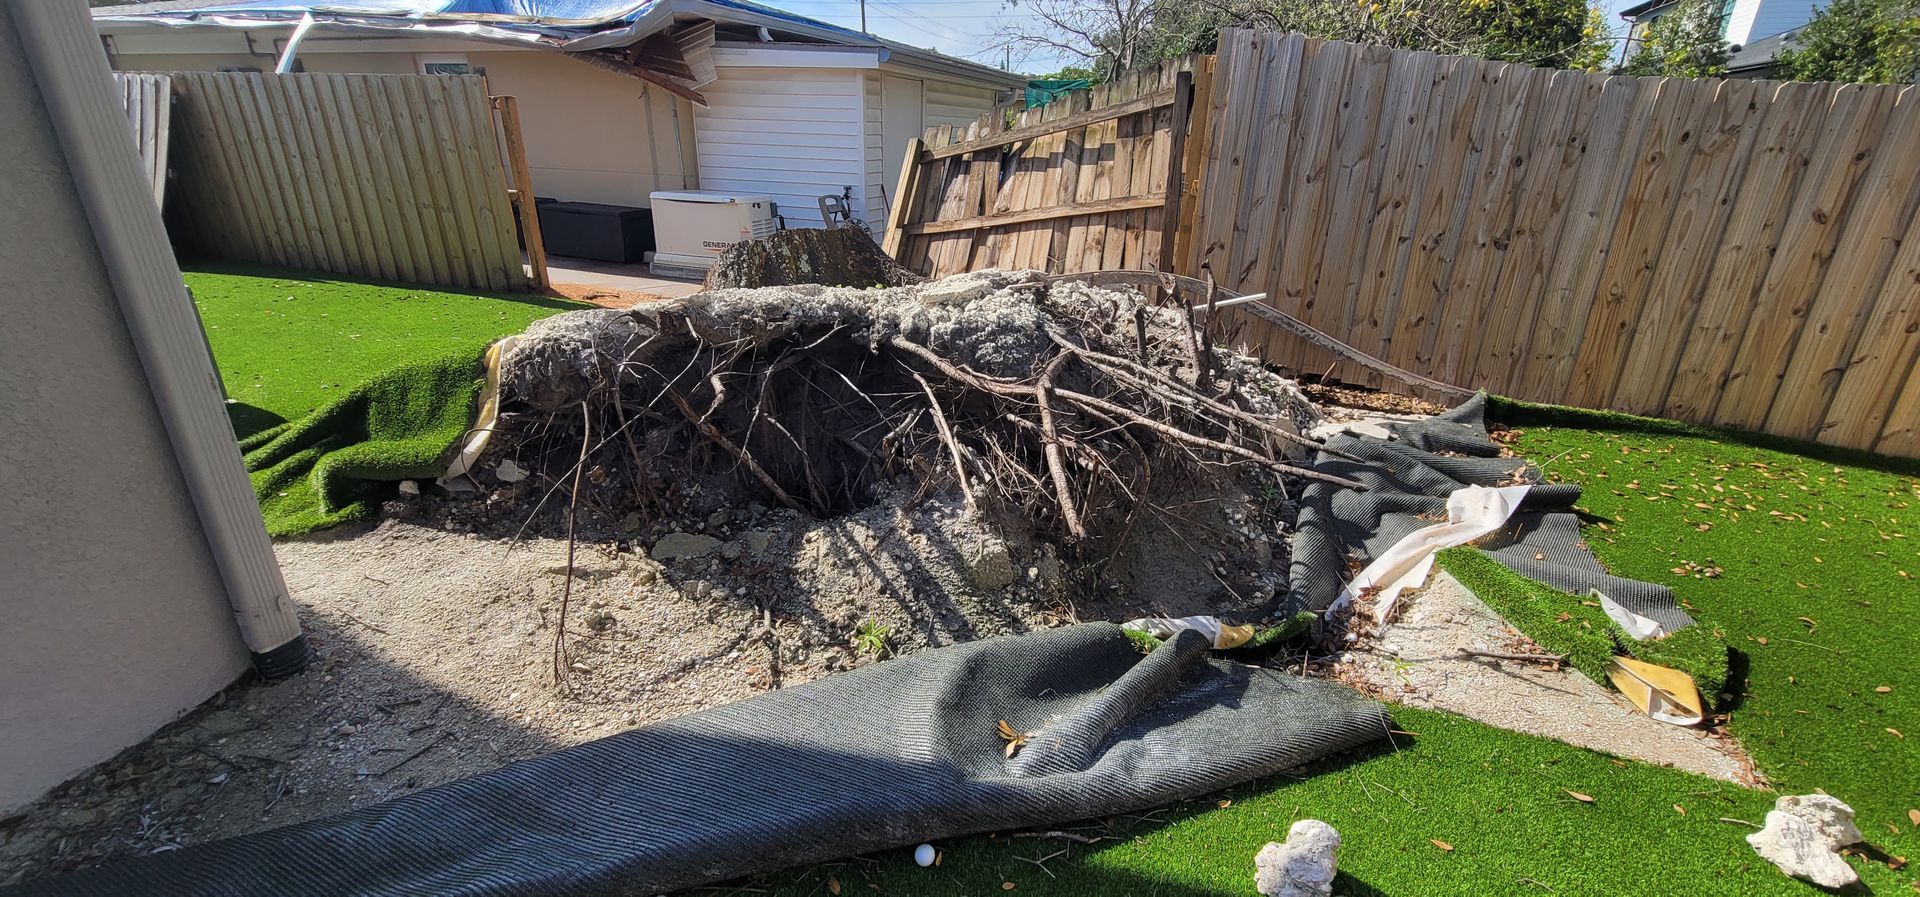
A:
x: 1581, y: 629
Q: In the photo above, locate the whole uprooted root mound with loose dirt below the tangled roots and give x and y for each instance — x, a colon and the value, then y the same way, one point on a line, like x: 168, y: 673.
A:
x: 901, y: 468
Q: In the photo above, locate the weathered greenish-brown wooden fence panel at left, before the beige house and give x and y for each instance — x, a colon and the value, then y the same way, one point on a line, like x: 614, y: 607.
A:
x: 393, y: 178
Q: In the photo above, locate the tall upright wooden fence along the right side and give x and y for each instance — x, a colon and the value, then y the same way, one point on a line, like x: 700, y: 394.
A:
x: 1729, y: 253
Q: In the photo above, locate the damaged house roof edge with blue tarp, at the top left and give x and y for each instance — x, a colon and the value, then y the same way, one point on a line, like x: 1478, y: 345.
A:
x: 573, y: 26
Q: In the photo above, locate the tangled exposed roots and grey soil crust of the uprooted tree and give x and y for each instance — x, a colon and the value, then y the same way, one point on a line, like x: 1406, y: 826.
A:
x: 1065, y: 404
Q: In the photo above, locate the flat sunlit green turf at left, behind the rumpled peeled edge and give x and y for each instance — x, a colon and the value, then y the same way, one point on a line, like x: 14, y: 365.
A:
x: 289, y: 343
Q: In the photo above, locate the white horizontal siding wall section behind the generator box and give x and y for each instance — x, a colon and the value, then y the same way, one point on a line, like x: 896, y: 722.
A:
x: 788, y: 133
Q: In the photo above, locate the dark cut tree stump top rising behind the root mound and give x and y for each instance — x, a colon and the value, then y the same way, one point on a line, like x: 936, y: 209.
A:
x: 834, y: 258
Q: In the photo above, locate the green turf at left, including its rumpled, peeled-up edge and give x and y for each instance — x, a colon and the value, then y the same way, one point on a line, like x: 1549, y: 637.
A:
x: 339, y: 389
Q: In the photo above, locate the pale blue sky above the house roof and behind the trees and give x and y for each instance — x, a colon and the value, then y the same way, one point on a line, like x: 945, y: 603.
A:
x: 969, y: 28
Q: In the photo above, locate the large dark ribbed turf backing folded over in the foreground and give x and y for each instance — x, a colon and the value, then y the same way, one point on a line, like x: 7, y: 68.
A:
x: 888, y: 756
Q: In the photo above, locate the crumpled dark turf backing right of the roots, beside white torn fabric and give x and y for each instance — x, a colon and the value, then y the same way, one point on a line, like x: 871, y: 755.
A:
x: 1408, y: 483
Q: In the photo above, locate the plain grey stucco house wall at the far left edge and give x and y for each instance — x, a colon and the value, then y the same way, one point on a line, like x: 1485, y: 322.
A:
x: 116, y: 614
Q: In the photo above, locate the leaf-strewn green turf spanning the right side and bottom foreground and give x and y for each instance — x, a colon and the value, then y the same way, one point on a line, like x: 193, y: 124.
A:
x: 1817, y: 598
